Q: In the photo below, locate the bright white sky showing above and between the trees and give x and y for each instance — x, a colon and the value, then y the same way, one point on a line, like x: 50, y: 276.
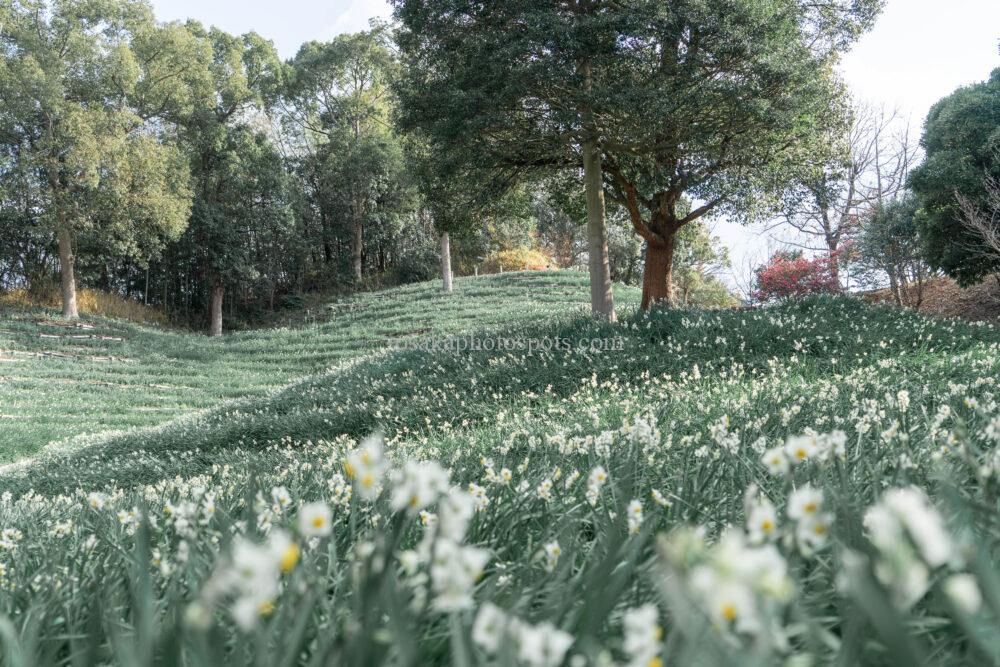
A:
x: 920, y: 51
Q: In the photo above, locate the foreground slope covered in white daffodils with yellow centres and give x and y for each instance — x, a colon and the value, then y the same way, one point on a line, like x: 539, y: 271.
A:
x: 805, y: 484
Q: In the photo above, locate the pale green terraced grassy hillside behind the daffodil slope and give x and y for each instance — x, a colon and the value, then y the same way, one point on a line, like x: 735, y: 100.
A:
x: 58, y: 382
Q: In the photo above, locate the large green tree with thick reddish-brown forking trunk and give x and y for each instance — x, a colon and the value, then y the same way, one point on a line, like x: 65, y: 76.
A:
x: 706, y: 113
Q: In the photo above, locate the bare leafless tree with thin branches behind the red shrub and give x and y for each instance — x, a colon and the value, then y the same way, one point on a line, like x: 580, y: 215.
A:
x: 866, y: 166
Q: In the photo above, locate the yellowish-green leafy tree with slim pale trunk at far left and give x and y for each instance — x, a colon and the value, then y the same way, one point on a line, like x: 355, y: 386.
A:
x: 83, y: 85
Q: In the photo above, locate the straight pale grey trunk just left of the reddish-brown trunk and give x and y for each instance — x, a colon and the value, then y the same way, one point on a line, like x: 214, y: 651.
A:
x: 602, y: 300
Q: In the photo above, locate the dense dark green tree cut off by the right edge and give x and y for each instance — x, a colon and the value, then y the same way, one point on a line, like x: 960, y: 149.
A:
x: 961, y: 144
